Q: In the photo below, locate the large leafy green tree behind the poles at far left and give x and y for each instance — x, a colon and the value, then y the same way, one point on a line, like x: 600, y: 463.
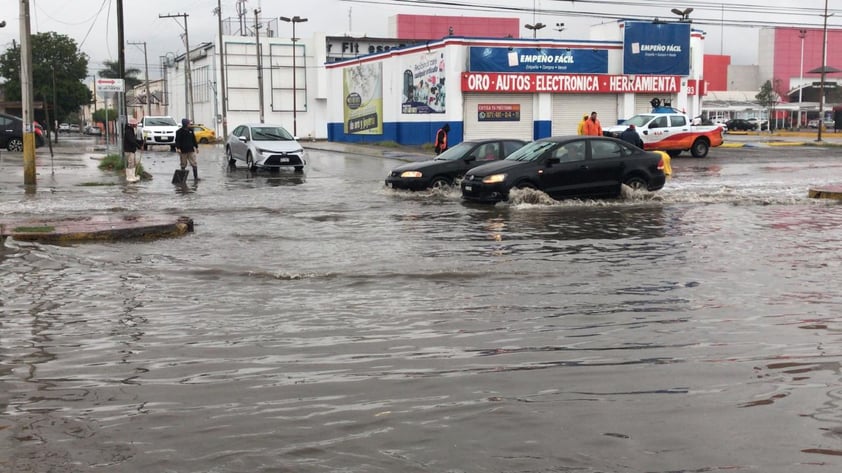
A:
x: 53, y: 56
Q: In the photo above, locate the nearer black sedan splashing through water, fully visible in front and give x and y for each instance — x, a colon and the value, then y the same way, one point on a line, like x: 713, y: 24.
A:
x: 567, y: 166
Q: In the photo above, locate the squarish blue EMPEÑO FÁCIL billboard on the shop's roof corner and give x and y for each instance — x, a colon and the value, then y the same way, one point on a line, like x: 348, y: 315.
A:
x: 656, y: 48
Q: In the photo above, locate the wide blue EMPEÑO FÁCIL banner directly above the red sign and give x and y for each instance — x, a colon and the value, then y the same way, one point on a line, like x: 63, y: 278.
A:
x: 545, y: 60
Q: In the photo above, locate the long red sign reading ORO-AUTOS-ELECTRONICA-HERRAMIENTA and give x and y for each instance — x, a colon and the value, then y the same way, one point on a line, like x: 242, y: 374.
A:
x: 568, y: 83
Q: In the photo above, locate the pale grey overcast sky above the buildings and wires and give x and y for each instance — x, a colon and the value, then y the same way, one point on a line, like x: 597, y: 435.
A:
x: 92, y: 23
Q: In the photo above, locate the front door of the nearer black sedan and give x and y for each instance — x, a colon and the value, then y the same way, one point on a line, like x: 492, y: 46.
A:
x: 565, y: 169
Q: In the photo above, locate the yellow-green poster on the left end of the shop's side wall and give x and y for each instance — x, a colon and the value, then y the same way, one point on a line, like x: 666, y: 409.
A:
x: 363, y: 89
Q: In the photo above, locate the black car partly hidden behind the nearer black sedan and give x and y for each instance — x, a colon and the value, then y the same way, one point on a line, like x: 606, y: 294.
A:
x: 450, y: 165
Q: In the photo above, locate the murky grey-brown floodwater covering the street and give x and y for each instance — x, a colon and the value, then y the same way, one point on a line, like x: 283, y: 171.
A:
x: 322, y: 323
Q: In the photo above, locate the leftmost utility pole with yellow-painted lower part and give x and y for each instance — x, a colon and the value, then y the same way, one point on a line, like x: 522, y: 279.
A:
x: 26, y: 95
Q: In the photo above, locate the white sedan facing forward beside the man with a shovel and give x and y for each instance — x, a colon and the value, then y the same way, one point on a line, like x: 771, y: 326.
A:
x: 262, y: 145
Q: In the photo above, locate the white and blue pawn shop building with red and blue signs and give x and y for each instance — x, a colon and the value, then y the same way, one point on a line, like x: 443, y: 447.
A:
x: 518, y: 88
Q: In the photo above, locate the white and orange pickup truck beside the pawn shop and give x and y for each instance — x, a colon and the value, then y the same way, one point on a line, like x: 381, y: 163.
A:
x: 666, y: 129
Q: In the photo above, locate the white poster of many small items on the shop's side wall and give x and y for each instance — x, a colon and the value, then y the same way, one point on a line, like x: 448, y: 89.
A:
x: 423, y: 85
